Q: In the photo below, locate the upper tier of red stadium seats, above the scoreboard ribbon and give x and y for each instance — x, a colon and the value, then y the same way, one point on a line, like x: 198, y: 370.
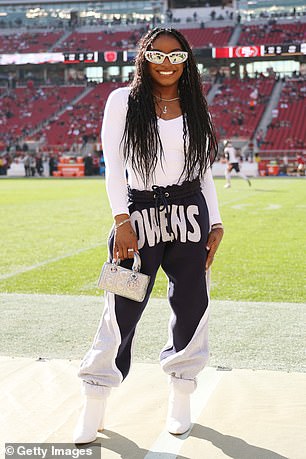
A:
x: 199, y: 36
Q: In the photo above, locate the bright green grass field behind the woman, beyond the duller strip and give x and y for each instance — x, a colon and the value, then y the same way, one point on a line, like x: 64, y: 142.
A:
x: 54, y: 238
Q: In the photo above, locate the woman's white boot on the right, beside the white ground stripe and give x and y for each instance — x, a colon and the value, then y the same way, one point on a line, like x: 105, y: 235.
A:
x: 179, y: 416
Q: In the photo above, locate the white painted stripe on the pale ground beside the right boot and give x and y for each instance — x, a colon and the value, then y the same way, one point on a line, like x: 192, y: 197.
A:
x: 171, y: 444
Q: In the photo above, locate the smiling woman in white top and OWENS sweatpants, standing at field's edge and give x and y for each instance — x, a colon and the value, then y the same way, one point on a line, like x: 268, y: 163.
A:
x: 159, y: 132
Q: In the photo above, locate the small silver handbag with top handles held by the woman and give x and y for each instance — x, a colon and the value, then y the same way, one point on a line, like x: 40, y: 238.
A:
x: 131, y: 284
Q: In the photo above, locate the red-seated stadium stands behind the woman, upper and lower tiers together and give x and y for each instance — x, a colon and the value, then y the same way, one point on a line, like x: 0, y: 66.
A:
x: 55, y: 117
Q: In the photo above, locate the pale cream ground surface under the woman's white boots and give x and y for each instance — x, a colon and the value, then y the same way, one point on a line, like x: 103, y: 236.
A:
x: 239, y: 414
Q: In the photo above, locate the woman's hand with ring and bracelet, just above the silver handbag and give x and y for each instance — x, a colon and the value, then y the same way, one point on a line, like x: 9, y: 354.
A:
x: 125, y: 239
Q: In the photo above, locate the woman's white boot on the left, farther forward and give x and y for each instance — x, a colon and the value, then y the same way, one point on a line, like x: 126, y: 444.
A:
x: 91, y: 420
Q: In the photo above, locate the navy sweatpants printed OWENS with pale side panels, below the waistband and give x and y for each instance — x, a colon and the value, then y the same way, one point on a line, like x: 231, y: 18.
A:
x: 182, y: 256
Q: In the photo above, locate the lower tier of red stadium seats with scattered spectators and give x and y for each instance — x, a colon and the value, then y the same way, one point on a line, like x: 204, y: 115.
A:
x: 50, y: 116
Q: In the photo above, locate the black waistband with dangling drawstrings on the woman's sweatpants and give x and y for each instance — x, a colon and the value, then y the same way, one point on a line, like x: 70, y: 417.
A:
x: 163, y: 197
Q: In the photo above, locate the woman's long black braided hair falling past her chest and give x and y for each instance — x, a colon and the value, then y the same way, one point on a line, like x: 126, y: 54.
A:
x: 141, y: 141
